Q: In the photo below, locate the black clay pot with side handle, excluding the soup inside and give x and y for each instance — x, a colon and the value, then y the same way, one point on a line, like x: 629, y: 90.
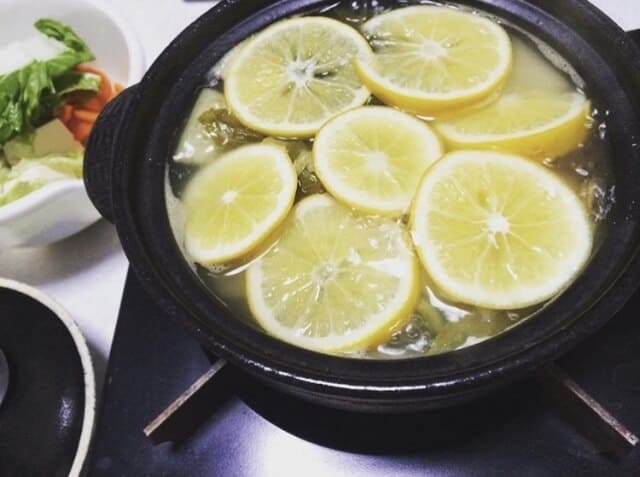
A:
x: 125, y: 173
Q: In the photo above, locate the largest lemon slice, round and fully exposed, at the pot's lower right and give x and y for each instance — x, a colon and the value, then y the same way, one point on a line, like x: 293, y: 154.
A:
x: 499, y: 231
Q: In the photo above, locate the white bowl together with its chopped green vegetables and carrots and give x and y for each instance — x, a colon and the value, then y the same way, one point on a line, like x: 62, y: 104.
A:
x: 53, y: 85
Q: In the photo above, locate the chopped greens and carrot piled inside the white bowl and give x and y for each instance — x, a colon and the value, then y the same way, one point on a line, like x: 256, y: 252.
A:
x: 48, y: 103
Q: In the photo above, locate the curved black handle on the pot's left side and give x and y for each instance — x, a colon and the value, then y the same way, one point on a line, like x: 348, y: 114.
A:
x: 100, y: 152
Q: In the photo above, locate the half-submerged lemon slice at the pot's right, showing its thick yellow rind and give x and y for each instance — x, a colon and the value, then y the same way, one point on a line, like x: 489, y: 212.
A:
x: 535, y: 123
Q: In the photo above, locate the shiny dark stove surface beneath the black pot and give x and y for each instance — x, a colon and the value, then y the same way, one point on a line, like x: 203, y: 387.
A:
x: 516, y: 432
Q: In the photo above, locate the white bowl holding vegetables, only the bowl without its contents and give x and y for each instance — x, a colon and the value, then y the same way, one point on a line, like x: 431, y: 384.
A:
x: 62, y: 208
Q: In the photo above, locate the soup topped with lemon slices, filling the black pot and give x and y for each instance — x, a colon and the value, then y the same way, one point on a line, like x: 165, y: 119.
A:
x: 382, y: 182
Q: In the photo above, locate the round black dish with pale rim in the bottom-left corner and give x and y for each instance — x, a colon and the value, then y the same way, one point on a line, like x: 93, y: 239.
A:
x: 47, y: 416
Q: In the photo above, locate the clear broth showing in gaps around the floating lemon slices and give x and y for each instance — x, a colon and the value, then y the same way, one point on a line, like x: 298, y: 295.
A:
x: 437, y: 325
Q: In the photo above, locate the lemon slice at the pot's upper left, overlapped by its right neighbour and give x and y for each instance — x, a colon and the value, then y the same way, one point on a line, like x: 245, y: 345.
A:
x: 293, y: 76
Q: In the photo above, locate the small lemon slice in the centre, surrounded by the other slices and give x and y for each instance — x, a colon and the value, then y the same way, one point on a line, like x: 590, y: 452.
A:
x: 372, y: 158
